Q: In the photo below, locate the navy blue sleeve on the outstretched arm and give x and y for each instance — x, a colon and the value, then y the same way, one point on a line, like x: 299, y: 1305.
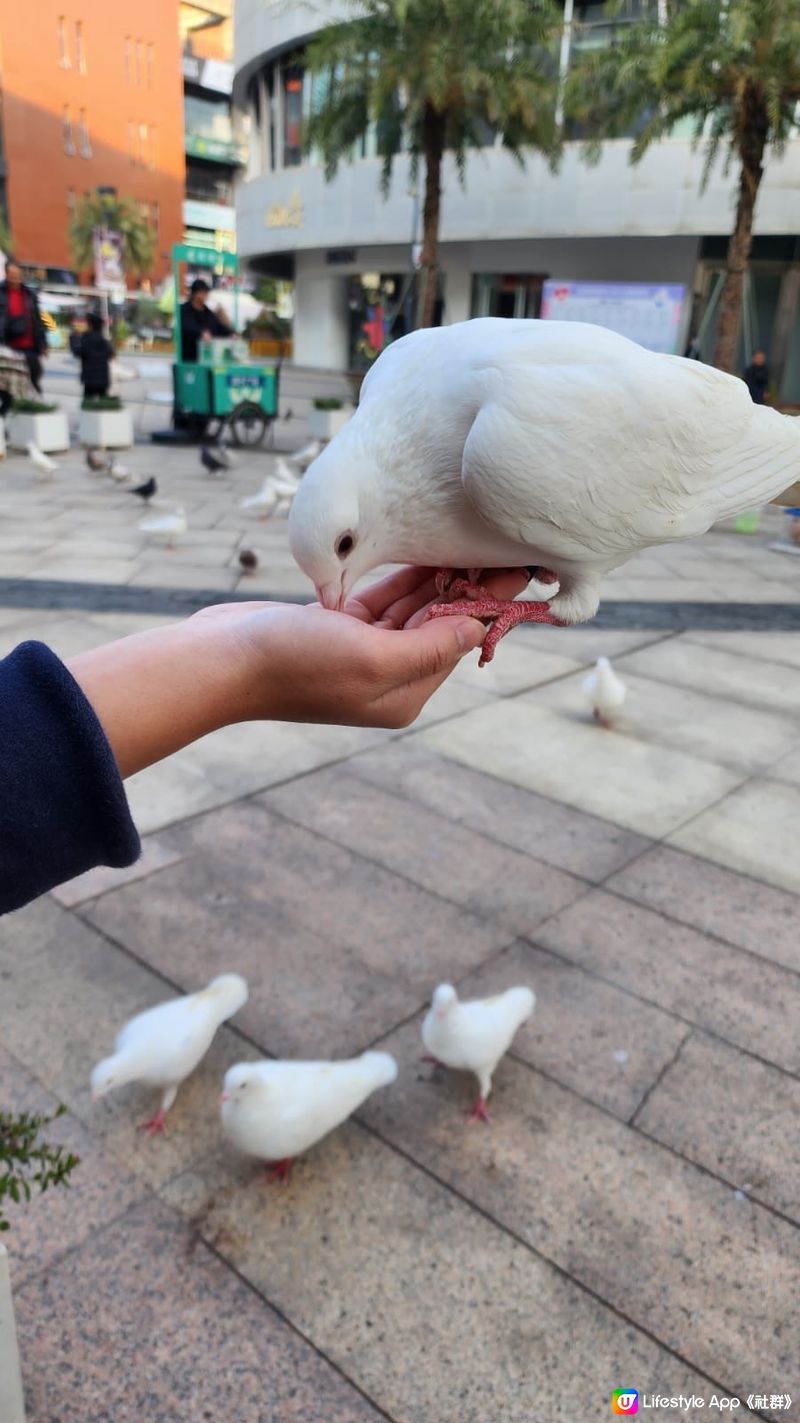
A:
x: 63, y: 808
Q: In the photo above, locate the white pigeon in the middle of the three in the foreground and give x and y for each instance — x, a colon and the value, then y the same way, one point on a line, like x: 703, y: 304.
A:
x: 275, y: 1111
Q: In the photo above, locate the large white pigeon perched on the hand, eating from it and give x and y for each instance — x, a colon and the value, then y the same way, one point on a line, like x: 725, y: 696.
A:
x: 549, y: 446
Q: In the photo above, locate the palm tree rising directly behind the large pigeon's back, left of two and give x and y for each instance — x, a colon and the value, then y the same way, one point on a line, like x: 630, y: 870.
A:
x: 431, y: 76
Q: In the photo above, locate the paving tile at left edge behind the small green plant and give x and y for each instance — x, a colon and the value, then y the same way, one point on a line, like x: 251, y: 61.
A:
x: 62, y: 1219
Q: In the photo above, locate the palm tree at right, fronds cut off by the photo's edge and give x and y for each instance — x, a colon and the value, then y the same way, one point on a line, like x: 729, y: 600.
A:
x: 730, y: 66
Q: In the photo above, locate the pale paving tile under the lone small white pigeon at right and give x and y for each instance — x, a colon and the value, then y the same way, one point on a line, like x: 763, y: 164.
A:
x: 712, y: 728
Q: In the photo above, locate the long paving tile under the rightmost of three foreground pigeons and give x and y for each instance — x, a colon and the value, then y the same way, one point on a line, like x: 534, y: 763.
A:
x: 644, y: 1229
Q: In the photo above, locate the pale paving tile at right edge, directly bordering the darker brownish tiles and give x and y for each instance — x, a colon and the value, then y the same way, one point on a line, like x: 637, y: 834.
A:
x: 754, y: 830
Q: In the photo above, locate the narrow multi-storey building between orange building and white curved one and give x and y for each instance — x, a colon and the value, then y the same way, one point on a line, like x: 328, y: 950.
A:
x: 214, y: 142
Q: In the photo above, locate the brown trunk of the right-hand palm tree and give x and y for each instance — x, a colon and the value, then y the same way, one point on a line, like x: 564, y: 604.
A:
x: 754, y: 130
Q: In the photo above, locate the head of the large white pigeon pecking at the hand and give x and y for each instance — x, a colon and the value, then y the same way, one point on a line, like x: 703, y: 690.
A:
x: 335, y: 527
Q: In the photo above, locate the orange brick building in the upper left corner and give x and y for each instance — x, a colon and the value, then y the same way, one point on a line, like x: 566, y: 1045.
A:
x: 92, y: 97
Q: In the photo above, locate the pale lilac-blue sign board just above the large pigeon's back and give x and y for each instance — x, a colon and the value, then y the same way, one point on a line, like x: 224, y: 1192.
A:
x: 647, y: 314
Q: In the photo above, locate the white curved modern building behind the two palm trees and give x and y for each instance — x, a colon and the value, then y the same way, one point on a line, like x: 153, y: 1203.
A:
x: 506, y: 233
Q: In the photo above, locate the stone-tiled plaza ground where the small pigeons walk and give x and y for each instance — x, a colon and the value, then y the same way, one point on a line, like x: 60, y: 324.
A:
x: 631, y: 1219
